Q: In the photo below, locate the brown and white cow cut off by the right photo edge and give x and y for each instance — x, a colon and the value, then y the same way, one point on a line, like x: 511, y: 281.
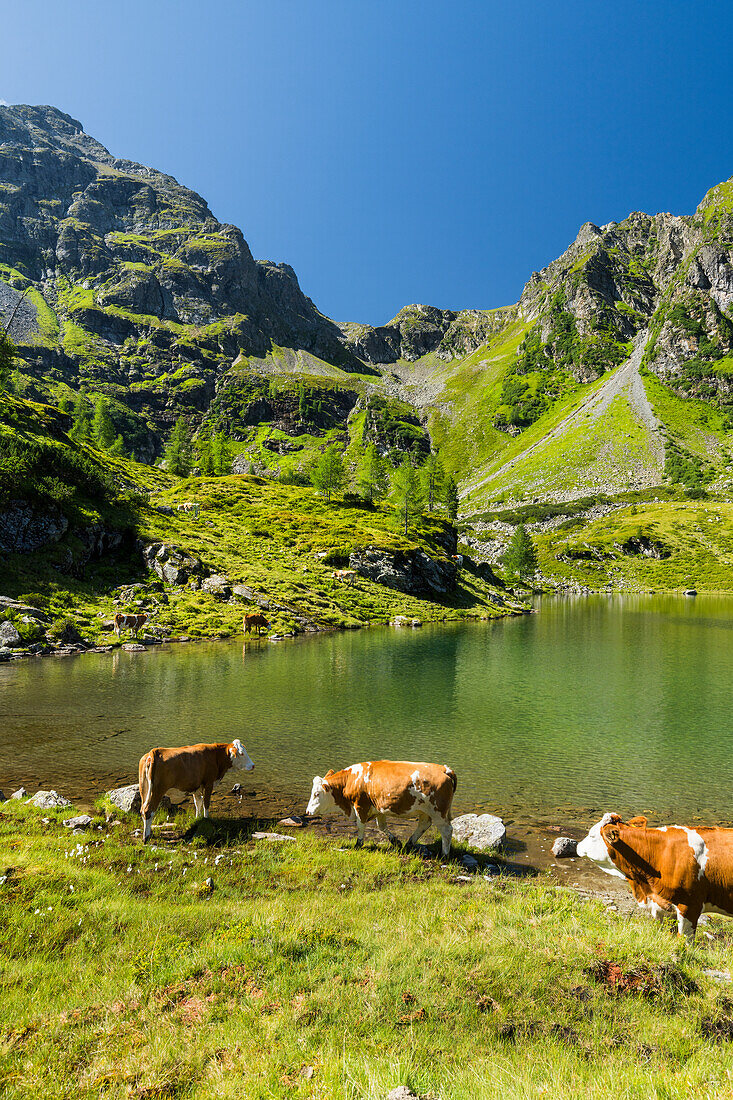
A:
x: 671, y: 870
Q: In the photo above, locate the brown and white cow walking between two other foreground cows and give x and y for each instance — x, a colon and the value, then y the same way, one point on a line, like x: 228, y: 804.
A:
x: 378, y: 788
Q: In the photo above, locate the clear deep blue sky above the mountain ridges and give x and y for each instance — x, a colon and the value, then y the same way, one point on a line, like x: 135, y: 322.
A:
x: 395, y: 152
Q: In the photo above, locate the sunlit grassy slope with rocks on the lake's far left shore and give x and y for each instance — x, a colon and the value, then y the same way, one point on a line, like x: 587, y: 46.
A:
x: 259, y: 533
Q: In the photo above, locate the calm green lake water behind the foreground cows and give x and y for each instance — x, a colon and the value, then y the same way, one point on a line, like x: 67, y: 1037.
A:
x: 592, y: 705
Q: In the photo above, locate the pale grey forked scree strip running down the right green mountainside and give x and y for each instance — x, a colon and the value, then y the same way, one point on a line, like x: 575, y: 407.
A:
x: 626, y: 381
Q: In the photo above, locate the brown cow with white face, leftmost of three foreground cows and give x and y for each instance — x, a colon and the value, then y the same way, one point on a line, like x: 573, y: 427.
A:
x: 194, y: 769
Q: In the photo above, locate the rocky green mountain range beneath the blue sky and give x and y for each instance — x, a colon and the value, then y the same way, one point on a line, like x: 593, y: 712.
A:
x: 614, y: 375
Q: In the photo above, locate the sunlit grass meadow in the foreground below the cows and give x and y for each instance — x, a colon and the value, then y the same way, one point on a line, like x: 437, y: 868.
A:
x: 312, y: 970
